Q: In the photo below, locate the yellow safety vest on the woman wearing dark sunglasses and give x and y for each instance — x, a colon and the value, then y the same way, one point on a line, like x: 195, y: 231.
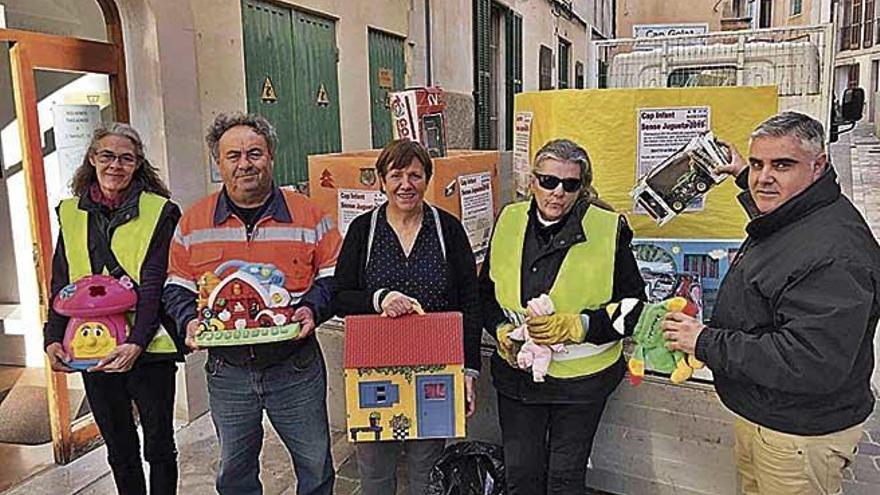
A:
x: 585, y: 281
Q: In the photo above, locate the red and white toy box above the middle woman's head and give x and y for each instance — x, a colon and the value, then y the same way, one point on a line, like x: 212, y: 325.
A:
x: 417, y: 115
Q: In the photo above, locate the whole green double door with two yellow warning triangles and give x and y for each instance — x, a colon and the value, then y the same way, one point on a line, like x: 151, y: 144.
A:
x: 290, y: 64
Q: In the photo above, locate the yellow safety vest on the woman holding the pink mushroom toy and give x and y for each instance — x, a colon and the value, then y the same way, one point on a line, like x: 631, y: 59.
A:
x: 129, y: 244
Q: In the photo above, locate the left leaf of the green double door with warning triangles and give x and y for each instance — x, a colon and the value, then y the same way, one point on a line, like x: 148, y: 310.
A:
x: 268, y: 57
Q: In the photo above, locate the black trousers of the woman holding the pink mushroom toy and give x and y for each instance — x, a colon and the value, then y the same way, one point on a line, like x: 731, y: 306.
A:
x: 151, y: 387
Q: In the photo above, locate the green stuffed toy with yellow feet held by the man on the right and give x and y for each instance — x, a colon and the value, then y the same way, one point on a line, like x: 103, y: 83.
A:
x: 650, y: 349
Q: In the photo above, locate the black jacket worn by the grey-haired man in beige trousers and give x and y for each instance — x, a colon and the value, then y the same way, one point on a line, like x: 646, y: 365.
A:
x: 791, y: 339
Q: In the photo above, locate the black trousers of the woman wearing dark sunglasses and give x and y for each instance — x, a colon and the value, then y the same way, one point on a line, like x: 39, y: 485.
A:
x: 546, y: 446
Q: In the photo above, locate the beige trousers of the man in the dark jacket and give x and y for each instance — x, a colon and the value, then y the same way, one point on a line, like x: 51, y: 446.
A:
x: 774, y: 463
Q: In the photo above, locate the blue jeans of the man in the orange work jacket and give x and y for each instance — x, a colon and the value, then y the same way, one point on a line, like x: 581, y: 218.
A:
x: 294, y: 396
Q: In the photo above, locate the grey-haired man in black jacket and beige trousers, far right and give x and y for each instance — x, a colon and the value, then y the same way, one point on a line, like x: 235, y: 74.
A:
x: 791, y: 339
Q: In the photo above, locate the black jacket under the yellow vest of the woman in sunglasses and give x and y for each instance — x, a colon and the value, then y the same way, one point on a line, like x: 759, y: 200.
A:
x: 543, y: 252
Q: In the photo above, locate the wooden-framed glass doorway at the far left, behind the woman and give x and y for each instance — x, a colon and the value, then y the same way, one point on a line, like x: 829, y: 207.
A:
x: 54, y: 90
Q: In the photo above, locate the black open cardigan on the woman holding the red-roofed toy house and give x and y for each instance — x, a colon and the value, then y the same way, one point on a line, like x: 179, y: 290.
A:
x: 352, y: 299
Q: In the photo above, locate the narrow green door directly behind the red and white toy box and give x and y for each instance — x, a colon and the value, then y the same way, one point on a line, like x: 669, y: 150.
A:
x: 387, y: 73
